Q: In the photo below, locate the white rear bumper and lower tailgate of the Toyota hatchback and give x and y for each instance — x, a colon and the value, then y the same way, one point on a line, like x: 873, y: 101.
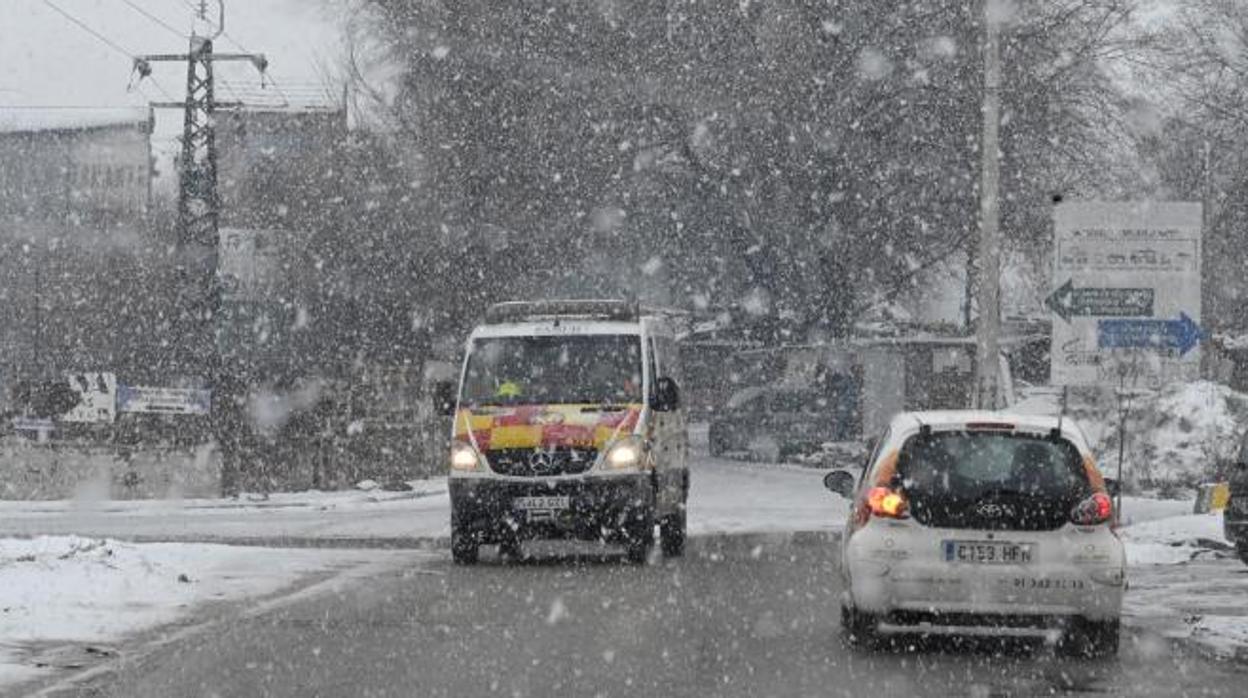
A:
x: 898, y: 571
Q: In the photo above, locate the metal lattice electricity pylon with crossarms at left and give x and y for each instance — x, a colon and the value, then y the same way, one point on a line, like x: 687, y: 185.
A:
x: 199, y: 217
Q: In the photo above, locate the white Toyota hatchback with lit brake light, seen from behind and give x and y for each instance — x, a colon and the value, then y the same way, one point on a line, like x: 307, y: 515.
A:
x: 983, y: 524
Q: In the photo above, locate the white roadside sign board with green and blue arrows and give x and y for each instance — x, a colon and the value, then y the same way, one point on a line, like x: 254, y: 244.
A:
x: 1126, y: 294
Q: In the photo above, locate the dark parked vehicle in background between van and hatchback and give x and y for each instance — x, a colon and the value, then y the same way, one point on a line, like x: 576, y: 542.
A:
x: 776, y: 423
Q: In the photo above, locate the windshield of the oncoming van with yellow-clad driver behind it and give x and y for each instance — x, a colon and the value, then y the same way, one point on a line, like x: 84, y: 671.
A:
x: 545, y: 370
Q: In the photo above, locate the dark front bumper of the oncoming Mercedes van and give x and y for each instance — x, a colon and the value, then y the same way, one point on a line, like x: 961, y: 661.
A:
x: 598, y: 508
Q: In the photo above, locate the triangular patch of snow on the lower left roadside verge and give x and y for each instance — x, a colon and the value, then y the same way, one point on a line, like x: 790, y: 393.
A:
x: 73, y: 591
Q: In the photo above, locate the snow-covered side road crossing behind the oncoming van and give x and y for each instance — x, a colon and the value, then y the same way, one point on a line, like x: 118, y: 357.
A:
x: 726, y: 498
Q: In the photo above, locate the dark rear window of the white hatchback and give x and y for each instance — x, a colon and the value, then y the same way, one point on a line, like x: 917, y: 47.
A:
x: 977, y: 464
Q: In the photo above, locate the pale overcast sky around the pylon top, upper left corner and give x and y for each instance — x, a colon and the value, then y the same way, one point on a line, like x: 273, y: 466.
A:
x: 48, y: 61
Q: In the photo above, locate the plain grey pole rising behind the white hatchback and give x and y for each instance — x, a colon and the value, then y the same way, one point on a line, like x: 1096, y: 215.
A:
x: 988, y: 394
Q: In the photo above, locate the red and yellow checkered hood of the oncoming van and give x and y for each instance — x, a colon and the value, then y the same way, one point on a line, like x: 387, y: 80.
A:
x: 546, y: 426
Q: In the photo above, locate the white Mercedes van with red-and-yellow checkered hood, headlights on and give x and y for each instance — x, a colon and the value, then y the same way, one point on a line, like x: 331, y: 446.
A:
x: 568, y: 425
